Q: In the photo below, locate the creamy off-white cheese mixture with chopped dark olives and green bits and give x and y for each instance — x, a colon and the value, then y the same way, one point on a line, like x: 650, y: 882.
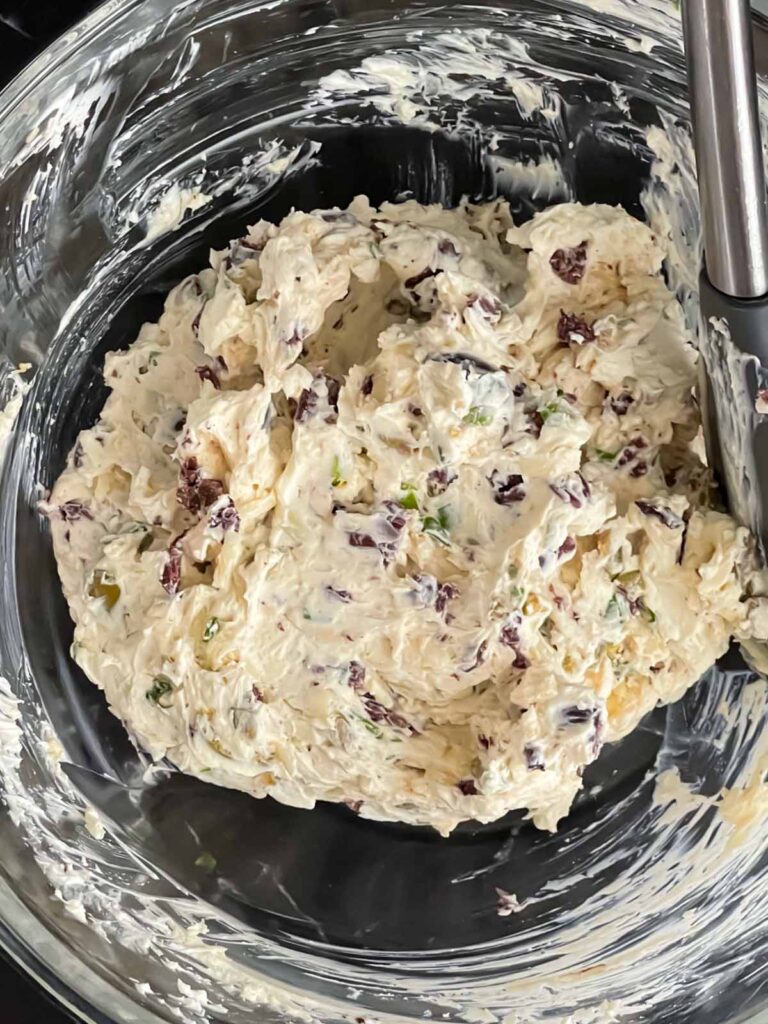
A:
x: 405, y: 508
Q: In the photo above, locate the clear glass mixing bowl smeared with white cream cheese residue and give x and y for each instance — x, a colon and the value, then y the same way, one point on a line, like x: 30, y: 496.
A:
x: 651, y: 905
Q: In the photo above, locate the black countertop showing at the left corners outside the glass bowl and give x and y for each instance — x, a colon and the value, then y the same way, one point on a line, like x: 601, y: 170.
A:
x: 26, y: 28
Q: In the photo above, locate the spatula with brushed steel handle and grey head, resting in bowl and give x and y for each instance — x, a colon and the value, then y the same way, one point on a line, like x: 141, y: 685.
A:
x: 734, y: 288
